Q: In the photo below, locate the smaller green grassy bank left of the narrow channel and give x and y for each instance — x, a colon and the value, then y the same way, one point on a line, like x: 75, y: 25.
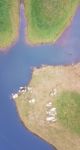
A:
x: 9, y: 22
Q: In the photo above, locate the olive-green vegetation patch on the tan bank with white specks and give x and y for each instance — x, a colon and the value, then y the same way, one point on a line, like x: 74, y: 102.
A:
x: 68, y: 108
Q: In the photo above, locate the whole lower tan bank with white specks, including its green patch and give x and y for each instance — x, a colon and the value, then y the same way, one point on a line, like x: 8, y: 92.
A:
x: 58, y: 87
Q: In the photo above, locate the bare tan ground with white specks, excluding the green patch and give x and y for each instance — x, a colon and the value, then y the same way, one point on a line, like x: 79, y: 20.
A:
x: 32, y: 104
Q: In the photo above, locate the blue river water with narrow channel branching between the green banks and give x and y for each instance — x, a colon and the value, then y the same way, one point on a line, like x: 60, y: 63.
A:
x: 15, y: 71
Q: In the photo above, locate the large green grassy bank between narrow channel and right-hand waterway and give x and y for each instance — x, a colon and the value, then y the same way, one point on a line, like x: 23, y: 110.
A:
x: 47, y: 19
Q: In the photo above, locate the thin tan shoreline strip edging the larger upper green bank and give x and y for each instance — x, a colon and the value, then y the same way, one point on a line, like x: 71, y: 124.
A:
x: 48, y: 41
